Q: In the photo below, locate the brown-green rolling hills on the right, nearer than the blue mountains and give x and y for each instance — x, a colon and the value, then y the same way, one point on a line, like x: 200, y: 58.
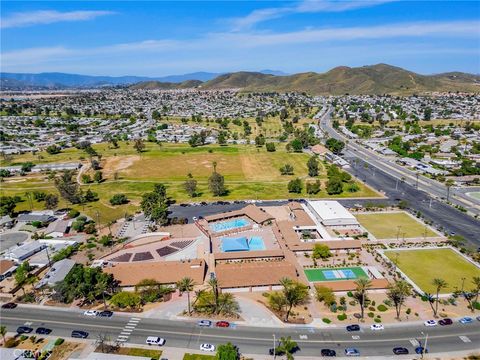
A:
x: 375, y: 79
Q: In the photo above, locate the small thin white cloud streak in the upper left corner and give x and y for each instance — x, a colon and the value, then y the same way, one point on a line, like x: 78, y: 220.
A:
x: 48, y: 17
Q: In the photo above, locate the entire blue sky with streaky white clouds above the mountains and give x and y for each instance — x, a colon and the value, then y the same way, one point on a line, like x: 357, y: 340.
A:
x: 157, y: 38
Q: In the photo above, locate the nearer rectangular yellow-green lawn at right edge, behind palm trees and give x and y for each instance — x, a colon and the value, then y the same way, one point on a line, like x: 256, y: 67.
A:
x: 422, y: 266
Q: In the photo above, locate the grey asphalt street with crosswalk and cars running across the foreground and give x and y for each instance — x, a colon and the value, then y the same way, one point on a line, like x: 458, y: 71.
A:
x: 250, y: 340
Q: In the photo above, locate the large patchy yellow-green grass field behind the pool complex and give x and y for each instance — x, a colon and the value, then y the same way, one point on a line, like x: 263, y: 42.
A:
x: 250, y: 173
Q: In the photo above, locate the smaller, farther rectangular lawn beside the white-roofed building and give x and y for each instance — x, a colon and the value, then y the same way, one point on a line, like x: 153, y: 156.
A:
x: 389, y: 225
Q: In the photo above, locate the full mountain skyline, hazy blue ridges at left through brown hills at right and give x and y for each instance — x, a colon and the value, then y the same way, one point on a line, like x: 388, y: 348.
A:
x: 374, y: 79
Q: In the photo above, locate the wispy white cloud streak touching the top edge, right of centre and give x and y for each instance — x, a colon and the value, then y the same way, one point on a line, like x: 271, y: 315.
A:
x: 306, y: 6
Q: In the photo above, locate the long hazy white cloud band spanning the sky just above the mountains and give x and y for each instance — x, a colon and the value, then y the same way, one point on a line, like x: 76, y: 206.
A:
x: 237, y: 47
